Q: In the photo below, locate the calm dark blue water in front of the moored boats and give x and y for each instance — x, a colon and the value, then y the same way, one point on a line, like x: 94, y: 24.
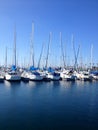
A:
x: 48, y: 105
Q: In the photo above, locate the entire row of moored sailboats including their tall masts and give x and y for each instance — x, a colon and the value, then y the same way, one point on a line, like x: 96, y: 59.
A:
x: 36, y: 72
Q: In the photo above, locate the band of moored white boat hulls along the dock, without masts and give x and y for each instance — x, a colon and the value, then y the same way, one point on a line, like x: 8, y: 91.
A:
x: 47, y: 75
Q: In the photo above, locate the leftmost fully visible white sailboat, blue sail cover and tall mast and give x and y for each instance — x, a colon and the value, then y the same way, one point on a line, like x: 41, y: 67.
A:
x: 13, y: 74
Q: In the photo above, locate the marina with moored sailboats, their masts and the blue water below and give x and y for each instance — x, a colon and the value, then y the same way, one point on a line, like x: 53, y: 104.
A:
x: 49, y: 97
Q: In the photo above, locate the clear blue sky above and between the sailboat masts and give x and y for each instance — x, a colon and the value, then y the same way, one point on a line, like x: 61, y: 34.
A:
x: 77, y: 17
